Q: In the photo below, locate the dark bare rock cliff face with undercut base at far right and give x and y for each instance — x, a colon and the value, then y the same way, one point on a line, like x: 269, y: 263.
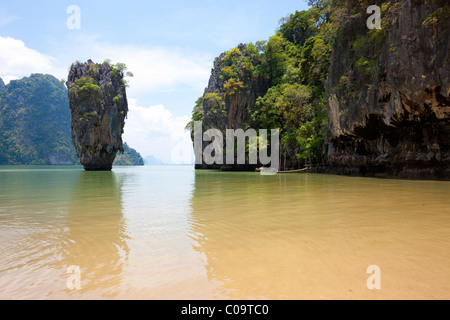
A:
x: 388, y: 89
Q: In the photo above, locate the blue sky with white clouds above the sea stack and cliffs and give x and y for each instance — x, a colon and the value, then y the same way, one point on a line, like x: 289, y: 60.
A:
x: 169, y: 46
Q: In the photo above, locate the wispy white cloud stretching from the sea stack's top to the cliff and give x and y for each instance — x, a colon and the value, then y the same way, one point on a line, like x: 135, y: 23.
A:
x: 155, y: 68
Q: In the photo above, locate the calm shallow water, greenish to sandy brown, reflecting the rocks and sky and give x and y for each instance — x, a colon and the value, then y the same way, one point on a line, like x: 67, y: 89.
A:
x: 177, y: 233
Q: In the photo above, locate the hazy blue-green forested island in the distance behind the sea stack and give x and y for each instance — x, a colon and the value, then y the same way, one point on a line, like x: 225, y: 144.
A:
x: 35, y: 125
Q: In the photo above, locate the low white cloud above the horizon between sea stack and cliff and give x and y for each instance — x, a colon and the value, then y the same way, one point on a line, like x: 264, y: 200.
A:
x: 154, y: 131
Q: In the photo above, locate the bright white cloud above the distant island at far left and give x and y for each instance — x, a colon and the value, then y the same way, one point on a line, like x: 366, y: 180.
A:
x: 17, y: 61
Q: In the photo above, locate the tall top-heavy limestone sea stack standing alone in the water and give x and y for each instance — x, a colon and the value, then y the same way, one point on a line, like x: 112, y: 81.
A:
x: 98, y: 104
